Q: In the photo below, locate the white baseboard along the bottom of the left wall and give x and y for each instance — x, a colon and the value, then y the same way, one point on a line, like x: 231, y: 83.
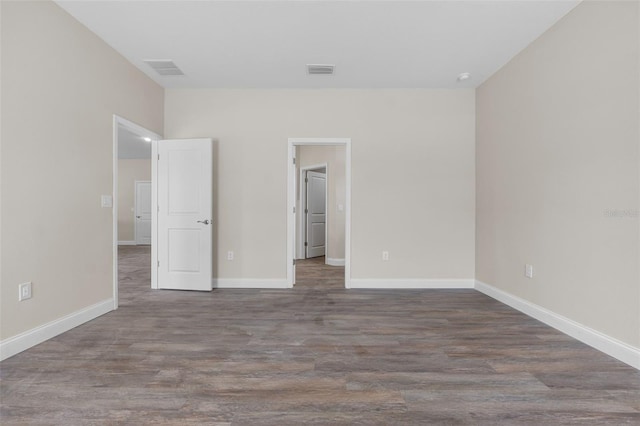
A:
x: 23, y: 341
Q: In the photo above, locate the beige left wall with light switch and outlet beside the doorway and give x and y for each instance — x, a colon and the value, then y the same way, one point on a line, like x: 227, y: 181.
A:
x: 61, y: 86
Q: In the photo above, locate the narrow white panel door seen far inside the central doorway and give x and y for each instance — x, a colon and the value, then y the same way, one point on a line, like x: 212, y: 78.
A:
x: 316, y: 214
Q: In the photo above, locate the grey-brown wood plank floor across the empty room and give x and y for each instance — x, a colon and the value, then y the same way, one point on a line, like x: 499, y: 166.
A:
x: 316, y: 354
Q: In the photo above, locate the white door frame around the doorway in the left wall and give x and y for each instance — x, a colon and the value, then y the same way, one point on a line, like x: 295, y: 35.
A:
x: 139, y: 130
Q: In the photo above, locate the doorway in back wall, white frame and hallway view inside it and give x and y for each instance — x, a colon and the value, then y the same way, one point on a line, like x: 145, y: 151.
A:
x: 319, y: 204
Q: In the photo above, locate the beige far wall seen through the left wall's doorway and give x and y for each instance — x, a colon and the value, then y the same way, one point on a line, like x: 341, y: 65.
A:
x: 129, y: 171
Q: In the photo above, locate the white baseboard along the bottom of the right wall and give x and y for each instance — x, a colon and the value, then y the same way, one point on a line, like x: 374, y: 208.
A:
x: 621, y: 351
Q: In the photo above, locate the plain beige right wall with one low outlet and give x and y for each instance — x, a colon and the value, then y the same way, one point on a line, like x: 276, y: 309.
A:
x: 557, y: 171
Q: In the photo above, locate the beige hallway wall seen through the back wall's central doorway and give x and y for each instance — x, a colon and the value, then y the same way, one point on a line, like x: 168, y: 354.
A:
x: 334, y: 157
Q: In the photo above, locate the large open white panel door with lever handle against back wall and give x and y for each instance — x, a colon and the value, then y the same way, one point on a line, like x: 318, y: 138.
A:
x: 184, y: 175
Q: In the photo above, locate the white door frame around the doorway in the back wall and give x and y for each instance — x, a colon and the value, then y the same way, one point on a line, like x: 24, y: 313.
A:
x: 291, y: 202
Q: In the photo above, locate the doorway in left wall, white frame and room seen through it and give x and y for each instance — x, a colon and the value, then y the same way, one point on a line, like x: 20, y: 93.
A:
x: 132, y: 193
